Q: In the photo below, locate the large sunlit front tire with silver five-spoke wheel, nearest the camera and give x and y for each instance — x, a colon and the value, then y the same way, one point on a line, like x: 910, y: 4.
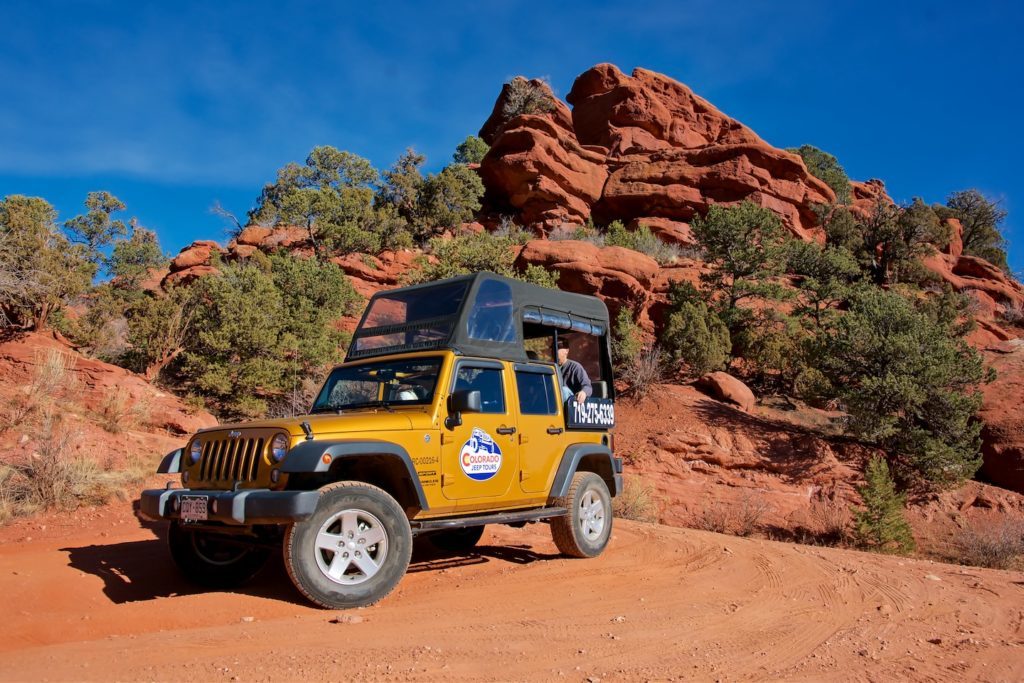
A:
x: 371, y: 515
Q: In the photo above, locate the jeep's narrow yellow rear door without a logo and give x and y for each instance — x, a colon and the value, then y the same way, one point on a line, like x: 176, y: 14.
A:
x: 542, y: 434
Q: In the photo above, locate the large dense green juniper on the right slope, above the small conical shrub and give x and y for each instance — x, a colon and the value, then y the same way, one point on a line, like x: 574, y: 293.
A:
x: 909, y: 382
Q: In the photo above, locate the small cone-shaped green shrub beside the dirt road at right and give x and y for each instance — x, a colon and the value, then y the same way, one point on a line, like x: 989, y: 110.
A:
x: 881, y: 526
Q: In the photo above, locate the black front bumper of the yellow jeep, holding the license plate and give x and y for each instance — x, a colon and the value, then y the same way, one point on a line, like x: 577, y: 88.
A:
x: 248, y: 506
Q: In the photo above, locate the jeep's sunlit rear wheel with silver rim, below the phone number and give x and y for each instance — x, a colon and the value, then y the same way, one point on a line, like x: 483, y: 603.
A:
x: 577, y: 534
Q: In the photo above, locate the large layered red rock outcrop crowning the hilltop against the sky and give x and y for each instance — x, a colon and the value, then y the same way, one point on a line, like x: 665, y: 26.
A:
x: 639, y: 147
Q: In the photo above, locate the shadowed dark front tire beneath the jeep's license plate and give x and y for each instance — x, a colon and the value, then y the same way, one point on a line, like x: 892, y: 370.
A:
x: 214, y: 563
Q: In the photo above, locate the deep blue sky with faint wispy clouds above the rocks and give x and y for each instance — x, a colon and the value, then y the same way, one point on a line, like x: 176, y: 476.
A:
x: 174, y: 107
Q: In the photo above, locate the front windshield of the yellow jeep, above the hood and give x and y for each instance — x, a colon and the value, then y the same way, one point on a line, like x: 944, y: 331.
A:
x: 409, y: 382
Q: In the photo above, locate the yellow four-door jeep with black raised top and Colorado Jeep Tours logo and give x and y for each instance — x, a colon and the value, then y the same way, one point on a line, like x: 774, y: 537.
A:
x: 450, y: 413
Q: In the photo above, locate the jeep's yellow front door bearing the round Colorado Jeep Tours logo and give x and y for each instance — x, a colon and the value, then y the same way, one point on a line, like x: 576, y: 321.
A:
x: 480, y: 457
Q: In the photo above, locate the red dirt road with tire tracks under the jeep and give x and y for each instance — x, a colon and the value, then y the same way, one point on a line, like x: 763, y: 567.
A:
x: 94, y: 597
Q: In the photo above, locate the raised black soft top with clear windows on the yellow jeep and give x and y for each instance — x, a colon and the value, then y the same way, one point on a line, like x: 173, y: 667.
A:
x: 479, y: 315
